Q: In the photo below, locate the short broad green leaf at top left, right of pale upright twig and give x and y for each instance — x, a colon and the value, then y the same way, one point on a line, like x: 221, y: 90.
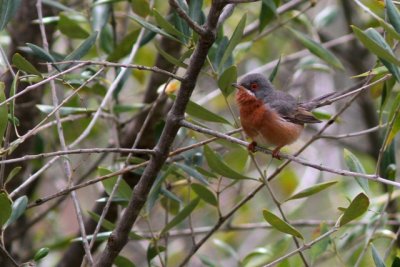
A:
x: 71, y: 27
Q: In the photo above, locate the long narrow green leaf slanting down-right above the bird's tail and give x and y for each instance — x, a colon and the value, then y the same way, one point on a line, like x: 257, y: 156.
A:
x: 318, y: 50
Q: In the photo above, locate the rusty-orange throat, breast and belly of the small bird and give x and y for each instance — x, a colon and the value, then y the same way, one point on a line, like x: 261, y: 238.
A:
x: 263, y: 124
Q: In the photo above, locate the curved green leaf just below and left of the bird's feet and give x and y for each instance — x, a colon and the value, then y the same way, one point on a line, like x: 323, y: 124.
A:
x: 219, y: 166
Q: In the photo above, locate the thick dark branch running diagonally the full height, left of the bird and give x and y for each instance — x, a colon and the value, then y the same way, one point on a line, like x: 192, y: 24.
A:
x: 119, y: 236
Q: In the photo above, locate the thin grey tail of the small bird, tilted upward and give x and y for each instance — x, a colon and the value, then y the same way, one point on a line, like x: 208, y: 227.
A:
x: 330, y: 98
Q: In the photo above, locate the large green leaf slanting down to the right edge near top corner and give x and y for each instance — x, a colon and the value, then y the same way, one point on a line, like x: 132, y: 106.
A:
x: 374, y: 47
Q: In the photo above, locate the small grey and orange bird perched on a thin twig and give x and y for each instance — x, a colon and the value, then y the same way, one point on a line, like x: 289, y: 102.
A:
x: 271, y: 117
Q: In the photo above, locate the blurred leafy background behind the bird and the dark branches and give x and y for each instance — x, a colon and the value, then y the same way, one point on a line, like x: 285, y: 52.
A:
x: 307, y: 48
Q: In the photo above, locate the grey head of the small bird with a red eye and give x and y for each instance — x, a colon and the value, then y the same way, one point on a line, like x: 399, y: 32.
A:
x: 257, y: 84
